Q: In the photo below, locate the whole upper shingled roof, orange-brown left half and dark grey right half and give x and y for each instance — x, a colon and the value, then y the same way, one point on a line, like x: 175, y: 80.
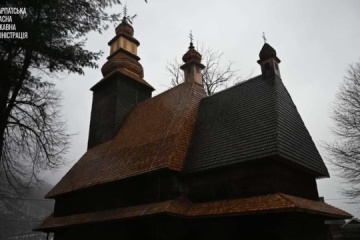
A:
x: 253, y: 120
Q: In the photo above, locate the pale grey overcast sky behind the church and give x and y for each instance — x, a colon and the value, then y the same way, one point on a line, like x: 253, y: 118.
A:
x: 315, y: 41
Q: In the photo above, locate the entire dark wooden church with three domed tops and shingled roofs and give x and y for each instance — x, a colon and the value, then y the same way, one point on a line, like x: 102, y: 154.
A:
x: 239, y: 164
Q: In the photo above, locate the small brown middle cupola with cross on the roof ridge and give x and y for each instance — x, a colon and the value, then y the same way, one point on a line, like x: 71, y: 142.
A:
x: 192, y: 64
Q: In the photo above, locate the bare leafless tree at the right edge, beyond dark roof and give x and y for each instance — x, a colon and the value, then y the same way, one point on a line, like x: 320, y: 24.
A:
x: 345, y: 151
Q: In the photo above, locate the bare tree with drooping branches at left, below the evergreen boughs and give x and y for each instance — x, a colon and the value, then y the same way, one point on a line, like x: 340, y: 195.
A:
x: 35, y: 136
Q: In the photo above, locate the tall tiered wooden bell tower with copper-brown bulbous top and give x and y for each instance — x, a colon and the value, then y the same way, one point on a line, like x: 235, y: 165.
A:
x: 122, y: 87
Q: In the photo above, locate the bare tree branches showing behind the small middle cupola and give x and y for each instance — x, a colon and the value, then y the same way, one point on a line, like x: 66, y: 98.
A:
x: 217, y: 75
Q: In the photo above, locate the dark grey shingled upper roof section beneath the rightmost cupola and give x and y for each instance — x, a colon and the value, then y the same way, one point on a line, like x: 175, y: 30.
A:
x: 252, y: 120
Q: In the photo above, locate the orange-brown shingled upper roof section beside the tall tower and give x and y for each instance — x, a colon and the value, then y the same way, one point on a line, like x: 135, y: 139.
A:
x: 155, y: 135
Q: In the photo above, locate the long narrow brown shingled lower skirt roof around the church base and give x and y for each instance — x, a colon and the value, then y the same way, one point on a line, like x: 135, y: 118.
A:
x: 273, y: 203
